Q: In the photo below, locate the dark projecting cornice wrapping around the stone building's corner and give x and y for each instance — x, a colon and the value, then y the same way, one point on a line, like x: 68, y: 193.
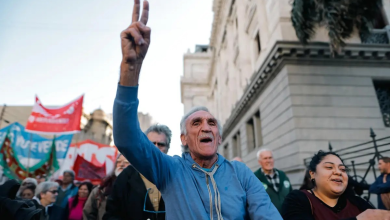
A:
x: 284, y: 52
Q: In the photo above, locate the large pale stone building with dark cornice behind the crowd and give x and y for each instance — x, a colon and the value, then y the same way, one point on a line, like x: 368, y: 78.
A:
x: 270, y: 91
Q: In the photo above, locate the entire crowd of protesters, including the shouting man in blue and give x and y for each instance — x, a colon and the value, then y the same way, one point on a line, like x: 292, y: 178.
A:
x: 146, y: 183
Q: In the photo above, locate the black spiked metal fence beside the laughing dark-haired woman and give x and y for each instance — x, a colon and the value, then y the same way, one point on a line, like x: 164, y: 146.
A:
x: 362, y: 157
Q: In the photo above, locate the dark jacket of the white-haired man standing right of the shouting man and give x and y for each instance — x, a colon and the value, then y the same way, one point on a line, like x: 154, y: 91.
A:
x: 285, y: 187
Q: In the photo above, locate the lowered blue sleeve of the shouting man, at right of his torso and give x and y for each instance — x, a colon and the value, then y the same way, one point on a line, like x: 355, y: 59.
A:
x: 259, y: 204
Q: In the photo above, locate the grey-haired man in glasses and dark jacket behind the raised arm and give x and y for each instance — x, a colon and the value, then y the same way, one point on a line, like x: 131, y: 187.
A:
x: 133, y: 196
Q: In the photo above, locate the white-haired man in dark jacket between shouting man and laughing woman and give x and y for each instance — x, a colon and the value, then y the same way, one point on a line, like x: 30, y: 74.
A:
x: 275, y: 181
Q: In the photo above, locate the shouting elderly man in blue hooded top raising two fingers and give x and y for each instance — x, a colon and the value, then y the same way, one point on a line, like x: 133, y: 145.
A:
x: 201, y: 184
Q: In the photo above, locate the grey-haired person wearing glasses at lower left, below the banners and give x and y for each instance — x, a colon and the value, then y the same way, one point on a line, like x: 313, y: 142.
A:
x: 46, y: 194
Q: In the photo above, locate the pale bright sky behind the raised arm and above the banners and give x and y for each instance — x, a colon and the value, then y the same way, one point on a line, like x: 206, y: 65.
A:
x: 59, y: 50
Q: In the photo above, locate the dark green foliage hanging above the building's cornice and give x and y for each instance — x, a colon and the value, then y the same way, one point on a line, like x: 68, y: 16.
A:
x: 338, y: 16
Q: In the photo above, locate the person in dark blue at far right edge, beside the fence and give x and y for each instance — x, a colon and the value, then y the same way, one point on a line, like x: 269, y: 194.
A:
x: 381, y: 186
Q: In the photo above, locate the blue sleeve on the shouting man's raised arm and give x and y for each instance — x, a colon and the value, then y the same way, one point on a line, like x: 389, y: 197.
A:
x: 133, y: 143
